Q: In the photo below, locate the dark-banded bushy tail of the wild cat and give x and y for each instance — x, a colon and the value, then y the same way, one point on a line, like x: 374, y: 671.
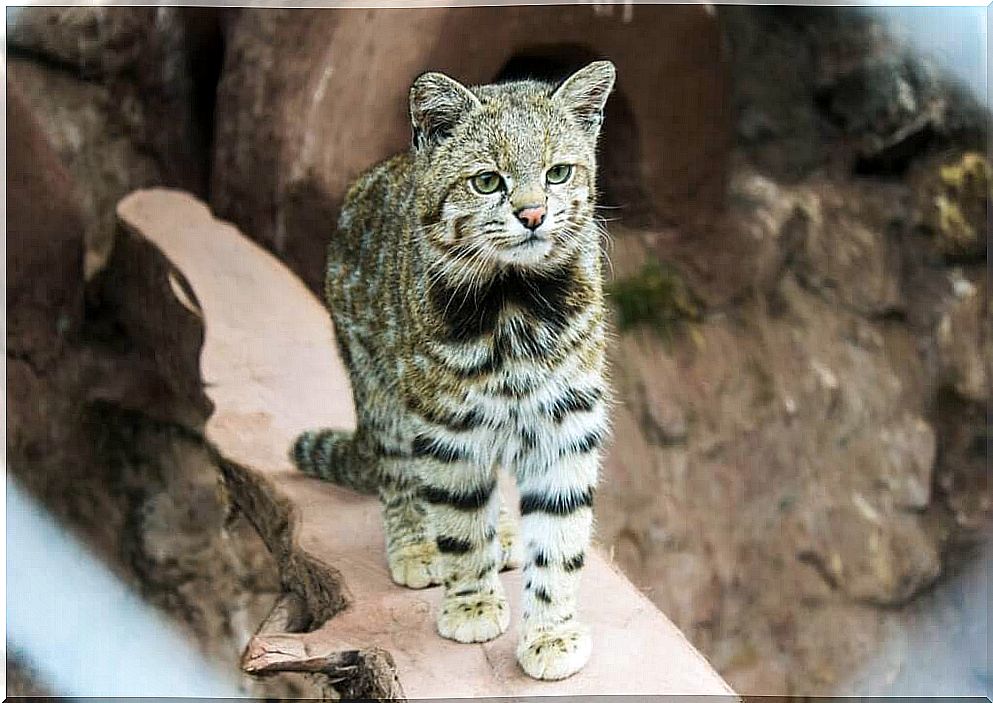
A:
x: 332, y: 455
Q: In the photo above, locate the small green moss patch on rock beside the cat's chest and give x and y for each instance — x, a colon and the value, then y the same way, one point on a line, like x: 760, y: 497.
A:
x: 656, y: 297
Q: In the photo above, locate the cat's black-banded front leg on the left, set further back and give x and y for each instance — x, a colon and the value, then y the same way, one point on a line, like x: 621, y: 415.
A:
x: 463, y: 506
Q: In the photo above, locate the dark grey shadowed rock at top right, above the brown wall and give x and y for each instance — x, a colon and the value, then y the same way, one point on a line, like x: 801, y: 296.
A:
x: 819, y: 88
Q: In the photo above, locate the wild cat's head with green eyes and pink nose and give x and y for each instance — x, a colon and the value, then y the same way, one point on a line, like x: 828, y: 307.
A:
x: 506, y: 173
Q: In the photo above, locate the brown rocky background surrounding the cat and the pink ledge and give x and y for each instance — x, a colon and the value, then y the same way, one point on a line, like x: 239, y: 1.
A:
x: 803, y: 349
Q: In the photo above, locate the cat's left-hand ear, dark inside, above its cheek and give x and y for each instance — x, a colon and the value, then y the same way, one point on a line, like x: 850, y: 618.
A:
x: 437, y: 104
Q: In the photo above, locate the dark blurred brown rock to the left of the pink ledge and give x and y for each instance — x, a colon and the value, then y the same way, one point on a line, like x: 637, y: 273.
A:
x: 101, y: 426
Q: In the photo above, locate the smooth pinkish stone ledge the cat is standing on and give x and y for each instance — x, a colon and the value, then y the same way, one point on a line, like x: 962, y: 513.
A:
x: 269, y: 367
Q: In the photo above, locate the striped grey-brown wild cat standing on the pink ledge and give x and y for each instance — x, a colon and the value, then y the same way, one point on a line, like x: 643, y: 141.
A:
x: 464, y: 283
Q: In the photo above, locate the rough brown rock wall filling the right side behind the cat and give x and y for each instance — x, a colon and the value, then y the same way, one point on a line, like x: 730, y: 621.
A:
x: 804, y: 437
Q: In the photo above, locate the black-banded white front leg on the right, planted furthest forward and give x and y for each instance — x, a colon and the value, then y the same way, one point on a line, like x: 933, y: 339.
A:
x: 556, y: 526
